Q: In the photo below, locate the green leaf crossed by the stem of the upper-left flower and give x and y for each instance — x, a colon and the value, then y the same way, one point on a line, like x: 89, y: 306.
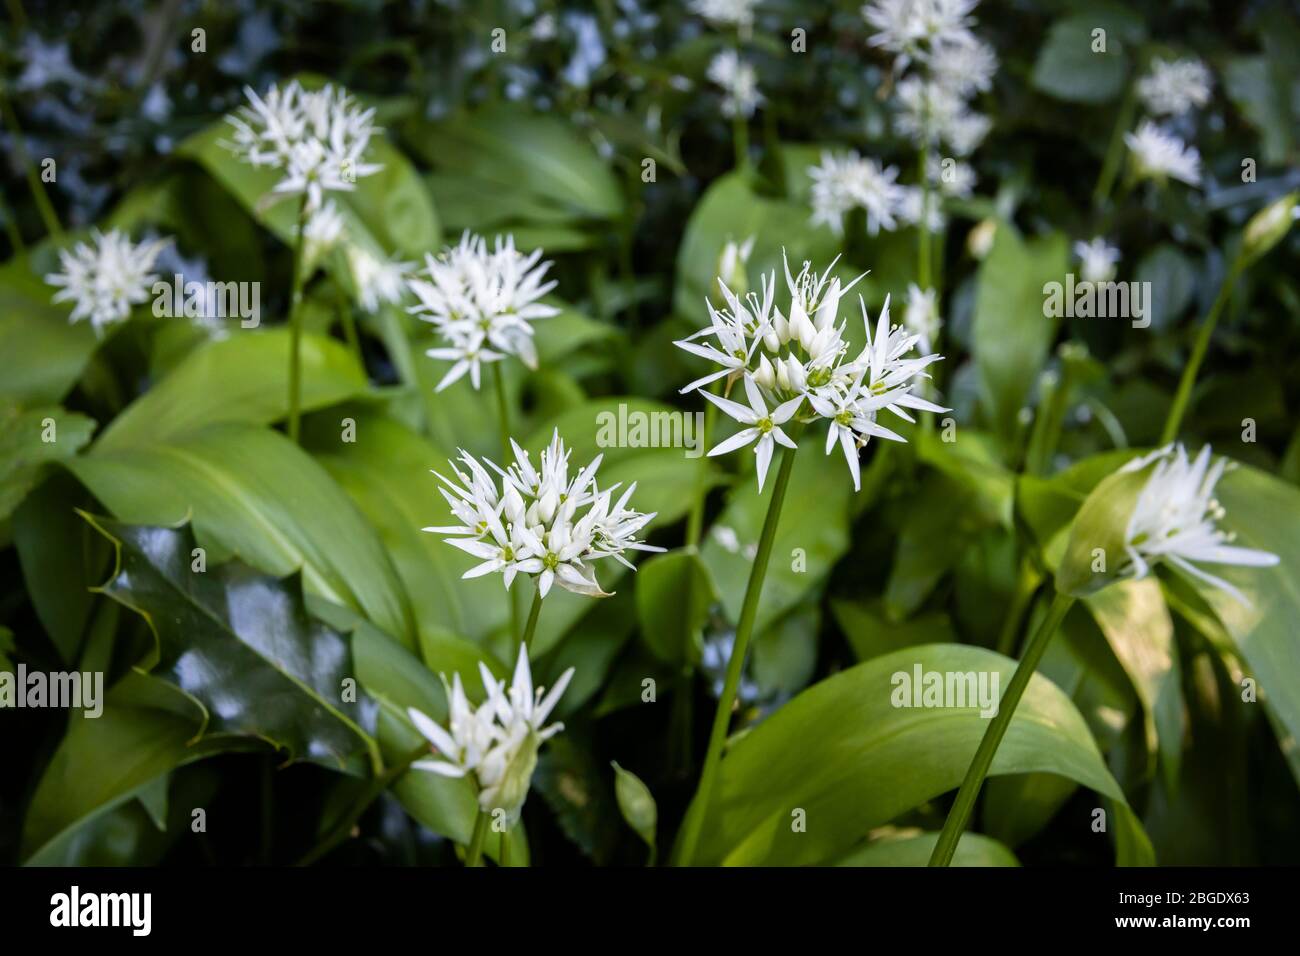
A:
x: 240, y: 379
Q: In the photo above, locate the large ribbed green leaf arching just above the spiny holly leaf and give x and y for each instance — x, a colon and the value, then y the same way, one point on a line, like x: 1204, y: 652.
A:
x: 254, y: 494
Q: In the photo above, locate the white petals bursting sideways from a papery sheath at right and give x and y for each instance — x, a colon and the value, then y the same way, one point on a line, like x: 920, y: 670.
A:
x: 1176, y: 520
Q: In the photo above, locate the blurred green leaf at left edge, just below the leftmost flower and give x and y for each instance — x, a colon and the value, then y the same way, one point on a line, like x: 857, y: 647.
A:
x: 45, y: 354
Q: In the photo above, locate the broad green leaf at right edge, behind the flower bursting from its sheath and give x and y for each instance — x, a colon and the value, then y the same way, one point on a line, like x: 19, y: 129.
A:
x: 1264, y: 513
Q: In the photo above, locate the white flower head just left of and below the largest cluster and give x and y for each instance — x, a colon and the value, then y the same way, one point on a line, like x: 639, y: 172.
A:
x: 532, y: 524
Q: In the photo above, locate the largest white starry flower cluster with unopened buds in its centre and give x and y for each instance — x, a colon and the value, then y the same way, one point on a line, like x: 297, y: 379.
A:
x: 795, y: 366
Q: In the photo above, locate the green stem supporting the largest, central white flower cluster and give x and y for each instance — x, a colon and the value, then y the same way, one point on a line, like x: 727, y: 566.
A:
x: 744, y: 631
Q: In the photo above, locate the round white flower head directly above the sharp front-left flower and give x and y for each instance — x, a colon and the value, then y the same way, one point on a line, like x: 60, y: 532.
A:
x: 483, y: 304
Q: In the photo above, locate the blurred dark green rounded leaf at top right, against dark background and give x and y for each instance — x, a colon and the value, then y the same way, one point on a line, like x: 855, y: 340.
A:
x: 1071, y: 70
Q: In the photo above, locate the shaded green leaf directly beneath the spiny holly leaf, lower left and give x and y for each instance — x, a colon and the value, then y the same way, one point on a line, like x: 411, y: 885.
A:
x: 149, y: 729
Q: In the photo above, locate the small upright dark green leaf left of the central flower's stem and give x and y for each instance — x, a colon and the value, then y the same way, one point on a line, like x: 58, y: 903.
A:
x: 675, y: 592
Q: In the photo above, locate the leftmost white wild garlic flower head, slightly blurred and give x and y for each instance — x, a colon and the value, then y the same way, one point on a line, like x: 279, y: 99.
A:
x: 106, y: 276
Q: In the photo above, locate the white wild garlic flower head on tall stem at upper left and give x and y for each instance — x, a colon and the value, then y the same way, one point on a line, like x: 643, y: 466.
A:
x: 319, y: 139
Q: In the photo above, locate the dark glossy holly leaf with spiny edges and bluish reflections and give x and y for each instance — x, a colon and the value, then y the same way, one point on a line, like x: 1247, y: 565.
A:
x: 242, y: 644
